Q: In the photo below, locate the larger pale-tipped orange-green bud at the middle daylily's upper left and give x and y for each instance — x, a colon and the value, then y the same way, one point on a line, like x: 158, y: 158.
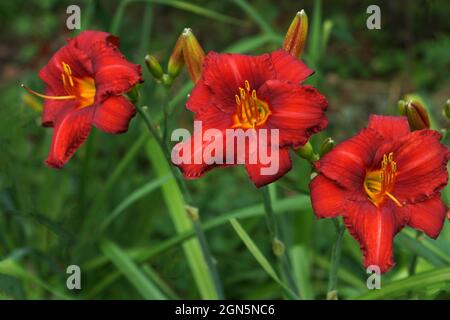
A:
x: 193, y: 55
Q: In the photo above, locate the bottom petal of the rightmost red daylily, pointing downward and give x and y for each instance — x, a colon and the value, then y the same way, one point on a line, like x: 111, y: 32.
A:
x: 374, y: 229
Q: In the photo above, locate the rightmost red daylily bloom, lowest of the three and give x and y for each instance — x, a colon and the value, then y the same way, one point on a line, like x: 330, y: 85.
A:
x: 381, y: 180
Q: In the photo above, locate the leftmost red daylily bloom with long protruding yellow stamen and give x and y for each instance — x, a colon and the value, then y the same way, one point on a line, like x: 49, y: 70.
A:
x: 85, y: 82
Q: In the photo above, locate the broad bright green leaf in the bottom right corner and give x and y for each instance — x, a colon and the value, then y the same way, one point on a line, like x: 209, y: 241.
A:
x: 437, y: 277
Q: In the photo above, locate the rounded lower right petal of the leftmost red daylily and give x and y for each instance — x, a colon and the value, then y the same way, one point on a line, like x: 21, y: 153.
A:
x: 114, y: 115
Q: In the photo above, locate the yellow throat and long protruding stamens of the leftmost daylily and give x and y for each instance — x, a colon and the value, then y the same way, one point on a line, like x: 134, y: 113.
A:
x: 81, y: 89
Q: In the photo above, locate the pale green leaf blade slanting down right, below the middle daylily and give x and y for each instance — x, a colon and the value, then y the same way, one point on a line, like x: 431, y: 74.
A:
x: 257, y: 254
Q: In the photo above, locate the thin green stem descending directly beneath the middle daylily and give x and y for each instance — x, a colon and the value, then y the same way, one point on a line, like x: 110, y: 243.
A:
x: 278, y: 245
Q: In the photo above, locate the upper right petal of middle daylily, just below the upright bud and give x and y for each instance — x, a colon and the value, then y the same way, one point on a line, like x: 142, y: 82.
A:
x: 288, y: 68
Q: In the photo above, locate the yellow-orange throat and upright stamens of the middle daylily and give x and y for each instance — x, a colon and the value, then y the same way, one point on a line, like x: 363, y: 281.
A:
x: 251, y: 112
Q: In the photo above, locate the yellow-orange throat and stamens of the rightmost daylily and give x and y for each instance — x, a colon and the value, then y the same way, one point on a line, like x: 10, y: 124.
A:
x: 380, y: 183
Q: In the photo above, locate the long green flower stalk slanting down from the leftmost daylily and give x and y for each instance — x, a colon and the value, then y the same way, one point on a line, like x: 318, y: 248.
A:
x: 197, y: 228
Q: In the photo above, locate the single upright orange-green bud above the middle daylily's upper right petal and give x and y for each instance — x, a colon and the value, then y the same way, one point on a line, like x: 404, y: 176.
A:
x: 295, y: 39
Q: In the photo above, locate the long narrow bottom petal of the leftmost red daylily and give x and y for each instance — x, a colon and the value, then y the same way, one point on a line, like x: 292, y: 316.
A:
x: 71, y: 130
